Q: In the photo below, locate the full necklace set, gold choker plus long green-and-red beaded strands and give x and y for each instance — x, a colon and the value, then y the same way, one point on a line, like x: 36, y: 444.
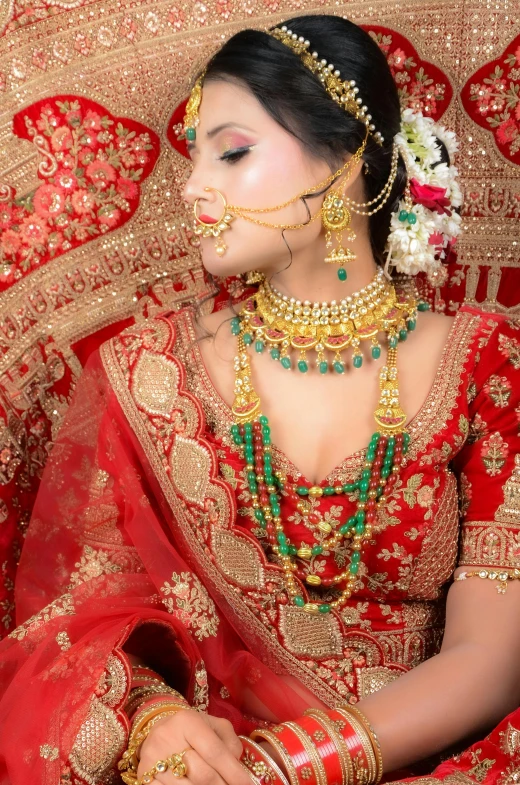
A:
x: 271, y: 319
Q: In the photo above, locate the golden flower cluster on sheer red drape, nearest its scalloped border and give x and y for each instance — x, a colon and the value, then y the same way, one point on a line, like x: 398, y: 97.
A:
x: 188, y: 600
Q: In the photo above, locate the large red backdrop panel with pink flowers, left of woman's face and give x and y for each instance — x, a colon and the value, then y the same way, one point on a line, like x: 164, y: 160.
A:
x: 93, y: 164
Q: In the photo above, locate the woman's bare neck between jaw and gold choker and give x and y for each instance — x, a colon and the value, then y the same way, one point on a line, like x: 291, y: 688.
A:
x: 307, y: 279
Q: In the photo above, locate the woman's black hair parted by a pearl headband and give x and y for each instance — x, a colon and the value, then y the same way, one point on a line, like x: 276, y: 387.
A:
x: 296, y: 99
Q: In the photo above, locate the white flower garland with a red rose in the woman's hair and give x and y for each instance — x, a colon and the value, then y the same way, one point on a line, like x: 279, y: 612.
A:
x: 425, y: 224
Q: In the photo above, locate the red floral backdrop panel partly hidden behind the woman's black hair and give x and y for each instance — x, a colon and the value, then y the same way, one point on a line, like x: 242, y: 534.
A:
x: 422, y: 86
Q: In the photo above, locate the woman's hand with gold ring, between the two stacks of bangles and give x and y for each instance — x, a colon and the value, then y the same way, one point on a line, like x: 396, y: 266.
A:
x: 212, y: 757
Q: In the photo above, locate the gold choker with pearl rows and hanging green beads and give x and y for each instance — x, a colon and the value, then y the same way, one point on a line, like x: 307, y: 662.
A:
x: 286, y: 325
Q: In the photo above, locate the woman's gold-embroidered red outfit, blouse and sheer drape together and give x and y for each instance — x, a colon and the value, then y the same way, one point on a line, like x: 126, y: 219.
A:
x: 143, y: 540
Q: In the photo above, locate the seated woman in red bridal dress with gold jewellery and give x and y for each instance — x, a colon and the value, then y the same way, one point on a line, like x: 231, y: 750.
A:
x: 190, y: 563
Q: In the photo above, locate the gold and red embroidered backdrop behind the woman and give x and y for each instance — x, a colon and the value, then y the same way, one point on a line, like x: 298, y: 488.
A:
x: 92, y: 232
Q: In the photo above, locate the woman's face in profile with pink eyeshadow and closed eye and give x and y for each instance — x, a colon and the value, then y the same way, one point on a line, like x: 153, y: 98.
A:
x: 243, y: 152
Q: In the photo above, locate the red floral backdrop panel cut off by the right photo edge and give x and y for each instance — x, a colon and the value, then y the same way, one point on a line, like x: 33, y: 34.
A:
x: 492, y: 98
